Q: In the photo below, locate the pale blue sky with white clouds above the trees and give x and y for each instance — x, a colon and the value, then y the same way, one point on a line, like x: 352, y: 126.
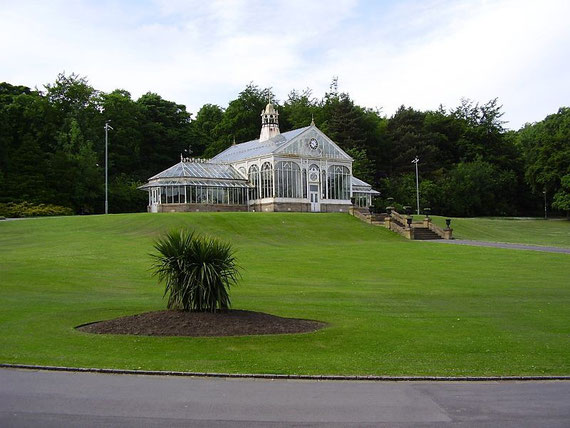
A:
x: 418, y: 53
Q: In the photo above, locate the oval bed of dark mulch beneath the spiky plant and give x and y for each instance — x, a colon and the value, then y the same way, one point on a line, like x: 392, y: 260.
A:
x: 179, y: 323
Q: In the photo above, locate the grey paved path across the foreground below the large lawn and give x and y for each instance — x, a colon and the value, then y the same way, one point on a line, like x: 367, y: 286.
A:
x: 39, y: 398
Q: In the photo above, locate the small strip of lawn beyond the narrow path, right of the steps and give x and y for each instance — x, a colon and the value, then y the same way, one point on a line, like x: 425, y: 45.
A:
x: 533, y: 231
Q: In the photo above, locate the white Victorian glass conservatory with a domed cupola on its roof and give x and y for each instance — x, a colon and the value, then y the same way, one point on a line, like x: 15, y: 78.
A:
x: 298, y: 170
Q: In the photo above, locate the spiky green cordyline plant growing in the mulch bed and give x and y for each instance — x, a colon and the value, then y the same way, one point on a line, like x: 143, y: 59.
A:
x: 197, y: 271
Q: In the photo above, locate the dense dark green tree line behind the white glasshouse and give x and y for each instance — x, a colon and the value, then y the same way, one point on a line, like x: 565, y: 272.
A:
x: 52, y: 147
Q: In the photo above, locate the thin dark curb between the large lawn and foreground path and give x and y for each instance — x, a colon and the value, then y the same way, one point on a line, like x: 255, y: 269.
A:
x: 285, y: 376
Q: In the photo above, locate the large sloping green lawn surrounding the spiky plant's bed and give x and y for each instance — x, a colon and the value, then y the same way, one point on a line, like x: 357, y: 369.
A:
x: 394, y: 307
